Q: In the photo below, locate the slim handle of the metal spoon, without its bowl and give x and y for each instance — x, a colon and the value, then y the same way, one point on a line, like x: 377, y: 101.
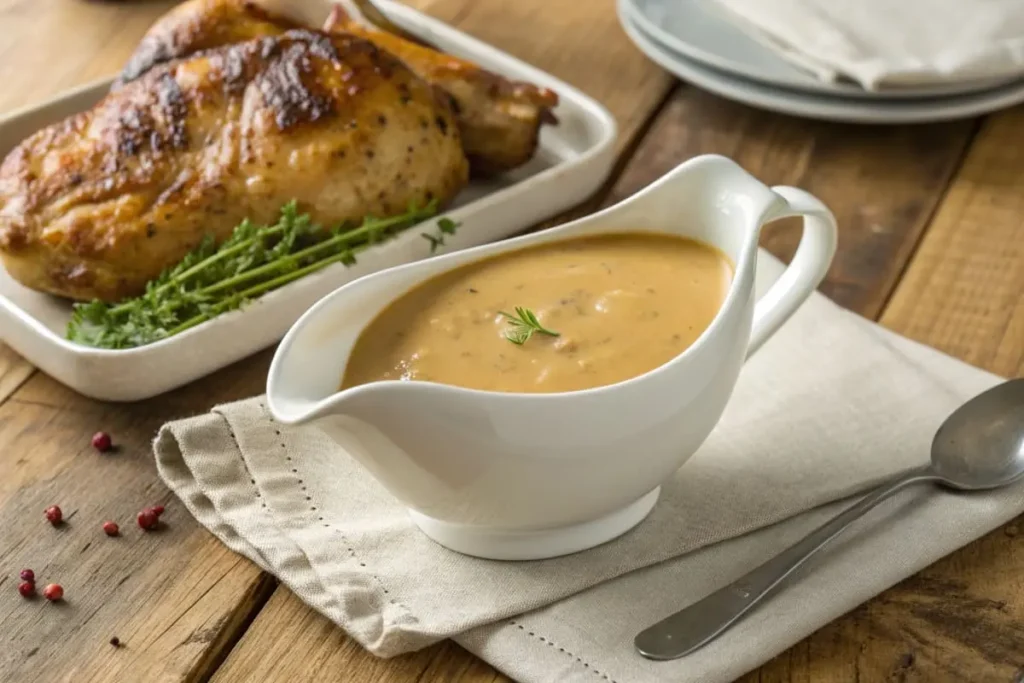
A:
x: 702, y: 622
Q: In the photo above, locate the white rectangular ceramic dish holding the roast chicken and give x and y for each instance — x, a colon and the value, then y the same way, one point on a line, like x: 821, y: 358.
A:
x: 574, y: 159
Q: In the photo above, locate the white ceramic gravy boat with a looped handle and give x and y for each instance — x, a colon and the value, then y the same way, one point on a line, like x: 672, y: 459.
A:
x: 529, y: 477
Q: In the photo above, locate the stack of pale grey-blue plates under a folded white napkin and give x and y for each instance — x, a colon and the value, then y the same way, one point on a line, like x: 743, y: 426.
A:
x: 695, y: 40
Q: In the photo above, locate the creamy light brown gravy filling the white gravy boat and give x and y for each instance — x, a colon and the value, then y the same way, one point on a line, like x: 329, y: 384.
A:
x: 622, y: 306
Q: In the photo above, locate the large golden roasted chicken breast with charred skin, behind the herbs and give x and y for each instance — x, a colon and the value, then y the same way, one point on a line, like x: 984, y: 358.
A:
x: 100, y: 204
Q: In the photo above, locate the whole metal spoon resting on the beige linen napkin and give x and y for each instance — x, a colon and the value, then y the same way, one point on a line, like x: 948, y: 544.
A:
x: 979, y: 447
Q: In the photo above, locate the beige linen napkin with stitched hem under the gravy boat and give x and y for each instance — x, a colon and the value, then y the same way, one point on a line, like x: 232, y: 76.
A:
x: 827, y: 408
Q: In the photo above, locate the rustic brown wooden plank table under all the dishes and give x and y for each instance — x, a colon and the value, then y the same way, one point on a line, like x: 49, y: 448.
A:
x: 932, y: 246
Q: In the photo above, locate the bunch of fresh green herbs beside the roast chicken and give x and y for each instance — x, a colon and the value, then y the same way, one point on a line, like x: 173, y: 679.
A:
x: 212, y: 280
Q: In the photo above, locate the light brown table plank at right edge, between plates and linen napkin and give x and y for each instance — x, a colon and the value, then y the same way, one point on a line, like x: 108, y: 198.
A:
x: 964, y: 292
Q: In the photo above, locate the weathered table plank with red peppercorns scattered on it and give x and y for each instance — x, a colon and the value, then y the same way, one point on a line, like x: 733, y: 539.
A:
x: 174, y: 596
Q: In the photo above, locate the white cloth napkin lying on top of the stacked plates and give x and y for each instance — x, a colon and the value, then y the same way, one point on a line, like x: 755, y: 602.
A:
x: 890, y: 44
